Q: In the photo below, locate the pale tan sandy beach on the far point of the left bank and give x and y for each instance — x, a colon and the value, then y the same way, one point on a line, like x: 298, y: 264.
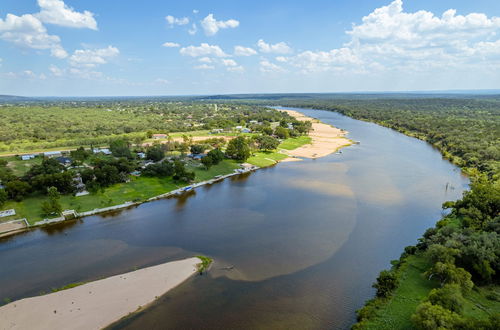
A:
x: 326, y: 139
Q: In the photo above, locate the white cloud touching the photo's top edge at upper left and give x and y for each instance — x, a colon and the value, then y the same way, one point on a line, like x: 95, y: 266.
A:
x: 58, y: 13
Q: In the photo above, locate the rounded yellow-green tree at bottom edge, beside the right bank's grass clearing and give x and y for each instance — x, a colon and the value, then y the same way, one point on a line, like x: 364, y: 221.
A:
x: 432, y: 317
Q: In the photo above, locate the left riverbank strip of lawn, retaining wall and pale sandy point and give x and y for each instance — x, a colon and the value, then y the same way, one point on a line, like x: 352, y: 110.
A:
x: 323, y: 140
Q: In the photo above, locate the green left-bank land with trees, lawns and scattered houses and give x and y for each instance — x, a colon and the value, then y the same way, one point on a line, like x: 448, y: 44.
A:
x: 133, y: 167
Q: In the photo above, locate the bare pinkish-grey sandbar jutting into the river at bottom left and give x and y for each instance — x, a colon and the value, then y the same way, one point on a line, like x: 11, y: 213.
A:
x: 97, y: 304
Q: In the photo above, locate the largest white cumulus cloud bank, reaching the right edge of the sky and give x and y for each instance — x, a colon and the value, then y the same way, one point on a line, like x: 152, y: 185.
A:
x: 391, y: 39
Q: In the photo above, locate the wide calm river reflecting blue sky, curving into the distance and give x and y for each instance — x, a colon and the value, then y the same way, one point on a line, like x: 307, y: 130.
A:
x: 296, y: 246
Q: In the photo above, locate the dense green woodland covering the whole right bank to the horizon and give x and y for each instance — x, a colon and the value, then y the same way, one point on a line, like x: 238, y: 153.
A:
x: 450, y: 279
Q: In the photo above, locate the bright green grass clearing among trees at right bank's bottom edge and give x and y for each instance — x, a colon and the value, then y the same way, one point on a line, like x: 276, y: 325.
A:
x: 412, y: 290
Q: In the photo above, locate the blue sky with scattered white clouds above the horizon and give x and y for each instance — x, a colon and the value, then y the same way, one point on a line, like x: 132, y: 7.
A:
x: 151, y: 47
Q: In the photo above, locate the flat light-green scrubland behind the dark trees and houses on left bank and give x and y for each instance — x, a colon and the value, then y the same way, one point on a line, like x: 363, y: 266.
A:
x: 52, y: 125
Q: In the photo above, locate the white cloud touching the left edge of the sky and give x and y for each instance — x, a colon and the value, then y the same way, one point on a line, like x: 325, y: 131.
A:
x: 28, y: 32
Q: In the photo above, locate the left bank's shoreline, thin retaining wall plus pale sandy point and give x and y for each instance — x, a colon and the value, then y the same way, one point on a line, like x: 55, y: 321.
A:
x: 325, y: 140
